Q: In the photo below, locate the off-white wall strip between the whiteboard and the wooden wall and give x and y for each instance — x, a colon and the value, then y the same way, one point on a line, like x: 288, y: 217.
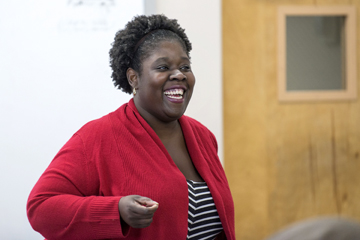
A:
x: 202, y: 22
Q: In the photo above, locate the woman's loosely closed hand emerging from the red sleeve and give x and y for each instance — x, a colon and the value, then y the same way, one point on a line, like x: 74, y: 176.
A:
x: 137, y: 211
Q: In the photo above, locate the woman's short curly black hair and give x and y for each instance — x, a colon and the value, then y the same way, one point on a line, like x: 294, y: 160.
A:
x: 135, y: 43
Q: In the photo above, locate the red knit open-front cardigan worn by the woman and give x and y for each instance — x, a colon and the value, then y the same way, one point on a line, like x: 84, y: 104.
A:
x: 117, y: 155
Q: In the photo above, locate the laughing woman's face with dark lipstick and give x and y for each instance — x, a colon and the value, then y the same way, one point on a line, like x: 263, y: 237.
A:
x: 166, y: 83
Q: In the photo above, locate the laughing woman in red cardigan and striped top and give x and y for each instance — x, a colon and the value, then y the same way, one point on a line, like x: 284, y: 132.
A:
x: 144, y: 171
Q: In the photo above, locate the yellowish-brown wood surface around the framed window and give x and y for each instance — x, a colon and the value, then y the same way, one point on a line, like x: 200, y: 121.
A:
x: 284, y: 161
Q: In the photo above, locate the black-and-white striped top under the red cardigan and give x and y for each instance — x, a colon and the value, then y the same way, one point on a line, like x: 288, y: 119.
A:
x: 203, y: 218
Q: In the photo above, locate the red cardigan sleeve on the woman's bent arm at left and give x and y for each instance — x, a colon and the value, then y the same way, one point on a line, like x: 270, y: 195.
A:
x: 65, y: 202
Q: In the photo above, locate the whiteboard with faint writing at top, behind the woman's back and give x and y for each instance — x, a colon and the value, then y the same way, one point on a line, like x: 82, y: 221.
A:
x: 54, y: 77
